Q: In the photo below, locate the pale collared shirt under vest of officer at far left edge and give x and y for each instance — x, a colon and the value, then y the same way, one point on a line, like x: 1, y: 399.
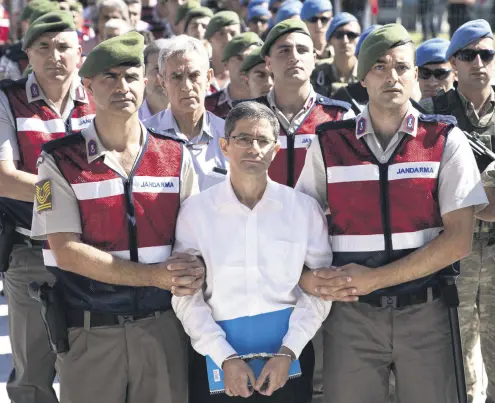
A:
x: 9, y: 148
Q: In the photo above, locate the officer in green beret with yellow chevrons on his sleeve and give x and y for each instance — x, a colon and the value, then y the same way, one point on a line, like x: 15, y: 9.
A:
x: 111, y: 198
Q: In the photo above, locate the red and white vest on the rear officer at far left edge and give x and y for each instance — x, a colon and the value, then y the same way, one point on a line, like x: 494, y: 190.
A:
x: 37, y: 123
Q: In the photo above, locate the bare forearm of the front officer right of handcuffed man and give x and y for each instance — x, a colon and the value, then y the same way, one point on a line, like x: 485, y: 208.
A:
x: 444, y: 250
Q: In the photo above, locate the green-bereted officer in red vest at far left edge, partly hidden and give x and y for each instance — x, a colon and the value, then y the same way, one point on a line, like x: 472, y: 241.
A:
x: 49, y: 104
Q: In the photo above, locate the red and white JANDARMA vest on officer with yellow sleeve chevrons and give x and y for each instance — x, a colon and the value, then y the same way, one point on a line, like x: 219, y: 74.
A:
x: 132, y: 218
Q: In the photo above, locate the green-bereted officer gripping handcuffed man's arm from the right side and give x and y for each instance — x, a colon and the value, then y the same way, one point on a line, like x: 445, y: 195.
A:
x: 402, y: 189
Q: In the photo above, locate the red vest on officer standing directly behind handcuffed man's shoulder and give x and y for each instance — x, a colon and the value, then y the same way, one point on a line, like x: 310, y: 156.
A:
x: 289, y: 161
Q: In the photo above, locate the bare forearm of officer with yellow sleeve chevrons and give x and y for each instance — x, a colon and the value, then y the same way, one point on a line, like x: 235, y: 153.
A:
x: 93, y: 263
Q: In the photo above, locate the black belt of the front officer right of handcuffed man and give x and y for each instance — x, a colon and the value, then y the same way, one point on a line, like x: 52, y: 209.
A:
x: 403, y: 300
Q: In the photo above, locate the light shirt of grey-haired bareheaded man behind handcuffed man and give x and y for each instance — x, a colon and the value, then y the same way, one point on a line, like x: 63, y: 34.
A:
x: 209, y: 162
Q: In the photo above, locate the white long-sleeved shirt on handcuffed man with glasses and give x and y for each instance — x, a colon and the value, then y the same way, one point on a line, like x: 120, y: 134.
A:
x: 254, y: 259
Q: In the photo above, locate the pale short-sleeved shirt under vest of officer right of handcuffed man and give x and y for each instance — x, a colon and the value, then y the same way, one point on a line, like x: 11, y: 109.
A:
x: 459, y: 183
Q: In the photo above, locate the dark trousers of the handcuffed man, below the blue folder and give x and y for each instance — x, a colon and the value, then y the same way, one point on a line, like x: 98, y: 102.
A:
x: 298, y: 390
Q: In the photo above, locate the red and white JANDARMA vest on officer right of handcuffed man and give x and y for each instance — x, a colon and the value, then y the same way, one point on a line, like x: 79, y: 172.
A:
x: 382, y: 212
